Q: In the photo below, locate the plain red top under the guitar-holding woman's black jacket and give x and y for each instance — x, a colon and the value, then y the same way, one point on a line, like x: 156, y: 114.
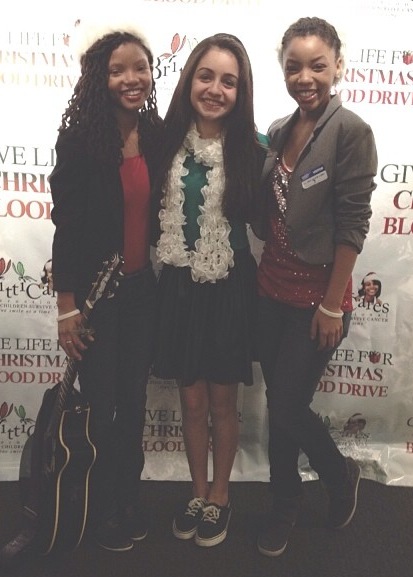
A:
x: 136, y: 192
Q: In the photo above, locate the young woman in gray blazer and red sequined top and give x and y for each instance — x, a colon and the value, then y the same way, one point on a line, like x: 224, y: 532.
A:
x: 315, y: 211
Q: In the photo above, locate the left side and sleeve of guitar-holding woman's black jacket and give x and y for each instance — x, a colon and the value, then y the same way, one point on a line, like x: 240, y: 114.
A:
x: 88, y: 214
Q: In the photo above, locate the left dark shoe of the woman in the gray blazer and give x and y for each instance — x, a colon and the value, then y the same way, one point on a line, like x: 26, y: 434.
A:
x: 273, y: 539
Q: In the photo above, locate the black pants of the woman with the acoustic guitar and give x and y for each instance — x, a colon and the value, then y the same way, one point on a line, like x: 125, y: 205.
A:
x: 113, y: 376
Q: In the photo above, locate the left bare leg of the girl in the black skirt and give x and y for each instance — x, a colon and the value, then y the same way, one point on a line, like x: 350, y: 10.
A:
x: 195, y: 410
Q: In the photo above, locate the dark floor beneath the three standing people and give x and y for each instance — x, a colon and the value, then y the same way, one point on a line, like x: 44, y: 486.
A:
x: 378, y: 542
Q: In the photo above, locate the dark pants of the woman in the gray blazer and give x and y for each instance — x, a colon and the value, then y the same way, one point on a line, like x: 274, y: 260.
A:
x: 292, y: 367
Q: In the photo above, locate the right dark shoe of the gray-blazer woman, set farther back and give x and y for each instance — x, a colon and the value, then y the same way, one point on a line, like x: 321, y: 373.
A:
x: 343, y: 500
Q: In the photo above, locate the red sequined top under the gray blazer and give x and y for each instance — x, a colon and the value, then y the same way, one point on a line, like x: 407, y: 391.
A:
x: 282, y: 275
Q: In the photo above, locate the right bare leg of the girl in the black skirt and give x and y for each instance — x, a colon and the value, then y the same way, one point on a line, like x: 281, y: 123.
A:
x: 225, y: 433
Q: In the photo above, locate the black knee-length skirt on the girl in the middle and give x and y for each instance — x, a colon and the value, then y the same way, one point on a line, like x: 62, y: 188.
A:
x: 206, y: 329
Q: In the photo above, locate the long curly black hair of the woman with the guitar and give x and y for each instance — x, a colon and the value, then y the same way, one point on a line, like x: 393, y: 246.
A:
x: 90, y: 109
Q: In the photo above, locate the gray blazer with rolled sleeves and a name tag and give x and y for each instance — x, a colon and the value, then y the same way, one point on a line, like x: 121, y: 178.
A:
x: 330, y: 190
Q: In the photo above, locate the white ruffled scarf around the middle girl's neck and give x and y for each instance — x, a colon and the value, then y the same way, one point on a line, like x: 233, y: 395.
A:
x: 213, y: 256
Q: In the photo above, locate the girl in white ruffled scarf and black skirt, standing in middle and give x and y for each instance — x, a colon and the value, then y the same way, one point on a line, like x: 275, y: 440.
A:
x: 211, y: 168
